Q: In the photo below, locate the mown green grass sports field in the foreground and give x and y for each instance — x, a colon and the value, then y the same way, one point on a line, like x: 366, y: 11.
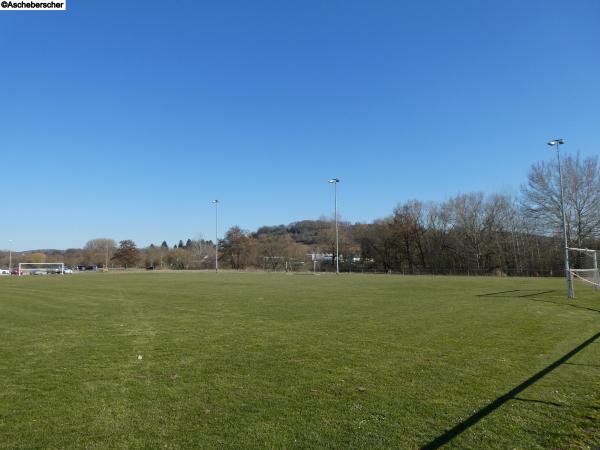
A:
x: 288, y: 361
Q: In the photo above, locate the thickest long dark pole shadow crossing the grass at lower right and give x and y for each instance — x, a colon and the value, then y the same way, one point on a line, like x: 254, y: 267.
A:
x: 467, y: 423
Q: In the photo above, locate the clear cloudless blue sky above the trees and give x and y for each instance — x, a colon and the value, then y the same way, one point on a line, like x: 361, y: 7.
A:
x: 124, y: 119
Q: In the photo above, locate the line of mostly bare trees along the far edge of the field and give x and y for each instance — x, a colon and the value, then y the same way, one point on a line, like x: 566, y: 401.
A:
x: 470, y: 233
